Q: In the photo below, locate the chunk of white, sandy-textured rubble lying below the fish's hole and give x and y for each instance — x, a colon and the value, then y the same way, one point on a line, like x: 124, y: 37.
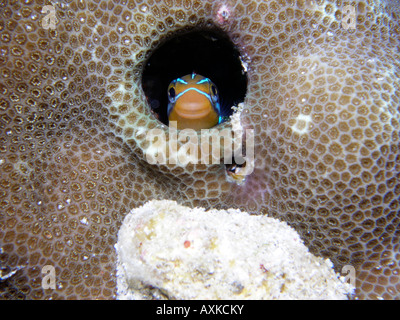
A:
x: 169, y: 251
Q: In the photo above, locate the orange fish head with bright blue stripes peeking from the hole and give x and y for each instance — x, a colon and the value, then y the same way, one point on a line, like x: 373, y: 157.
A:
x: 193, y: 102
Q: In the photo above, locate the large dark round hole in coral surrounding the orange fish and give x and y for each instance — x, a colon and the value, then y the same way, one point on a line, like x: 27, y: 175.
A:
x: 207, y: 52
